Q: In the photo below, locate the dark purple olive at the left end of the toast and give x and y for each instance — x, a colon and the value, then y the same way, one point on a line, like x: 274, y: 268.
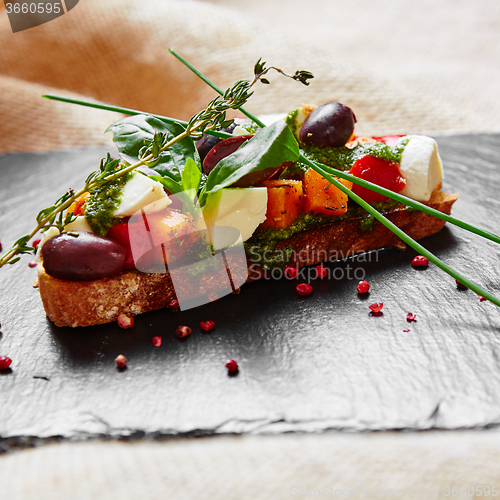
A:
x: 85, y: 257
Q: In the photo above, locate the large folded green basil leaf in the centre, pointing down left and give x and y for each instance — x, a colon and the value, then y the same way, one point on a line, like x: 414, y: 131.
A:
x: 269, y: 147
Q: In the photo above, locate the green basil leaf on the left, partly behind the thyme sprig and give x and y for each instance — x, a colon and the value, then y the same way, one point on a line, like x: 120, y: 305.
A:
x: 130, y: 134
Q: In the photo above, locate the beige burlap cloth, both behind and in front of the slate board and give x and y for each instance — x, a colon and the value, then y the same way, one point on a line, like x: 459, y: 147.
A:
x: 402, y: 66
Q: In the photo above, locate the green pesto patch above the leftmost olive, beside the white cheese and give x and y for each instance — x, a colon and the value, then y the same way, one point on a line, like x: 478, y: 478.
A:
x: 101, y: 204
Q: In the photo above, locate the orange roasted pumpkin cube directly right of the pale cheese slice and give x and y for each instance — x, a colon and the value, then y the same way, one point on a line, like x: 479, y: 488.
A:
x: 285, y: 200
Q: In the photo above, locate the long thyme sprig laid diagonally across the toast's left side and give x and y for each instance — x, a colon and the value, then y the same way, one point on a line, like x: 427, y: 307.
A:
x: 211, y: 119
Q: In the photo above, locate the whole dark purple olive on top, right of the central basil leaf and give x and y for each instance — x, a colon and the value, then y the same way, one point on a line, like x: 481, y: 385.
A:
x: 328, y: 126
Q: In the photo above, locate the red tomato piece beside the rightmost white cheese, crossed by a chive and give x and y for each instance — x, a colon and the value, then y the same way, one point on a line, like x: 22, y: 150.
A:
x: 382, y: 172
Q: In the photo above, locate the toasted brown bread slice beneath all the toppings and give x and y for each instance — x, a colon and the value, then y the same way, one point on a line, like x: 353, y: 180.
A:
x: 77, y: 303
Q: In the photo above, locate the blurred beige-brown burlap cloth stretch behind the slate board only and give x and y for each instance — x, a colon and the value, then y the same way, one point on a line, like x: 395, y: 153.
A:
x: 401, y: 68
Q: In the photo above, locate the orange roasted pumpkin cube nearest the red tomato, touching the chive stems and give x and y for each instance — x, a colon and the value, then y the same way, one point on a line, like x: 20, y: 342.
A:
x: 322, y: 197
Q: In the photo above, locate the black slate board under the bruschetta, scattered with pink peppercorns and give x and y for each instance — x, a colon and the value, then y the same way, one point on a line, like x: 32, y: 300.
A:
x: 306, y: 364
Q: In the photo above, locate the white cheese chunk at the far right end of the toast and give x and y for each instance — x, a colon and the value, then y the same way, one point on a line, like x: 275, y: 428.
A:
x: 422, y: 168
